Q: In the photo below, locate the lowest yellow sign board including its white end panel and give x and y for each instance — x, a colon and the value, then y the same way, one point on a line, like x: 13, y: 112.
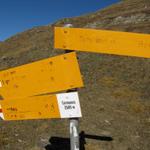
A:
x: 63, y: 105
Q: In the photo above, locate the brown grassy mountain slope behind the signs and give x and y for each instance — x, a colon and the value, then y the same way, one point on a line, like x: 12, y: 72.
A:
x: 116, y: 98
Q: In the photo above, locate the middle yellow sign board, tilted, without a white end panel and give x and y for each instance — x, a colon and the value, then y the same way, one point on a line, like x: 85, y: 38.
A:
x: 46, y: 76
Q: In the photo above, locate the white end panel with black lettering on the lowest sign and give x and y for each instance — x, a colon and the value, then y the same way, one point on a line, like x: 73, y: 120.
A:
x: 69, y: 105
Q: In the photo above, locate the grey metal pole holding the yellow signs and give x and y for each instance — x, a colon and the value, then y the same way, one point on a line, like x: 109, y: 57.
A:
x: 74, y: 122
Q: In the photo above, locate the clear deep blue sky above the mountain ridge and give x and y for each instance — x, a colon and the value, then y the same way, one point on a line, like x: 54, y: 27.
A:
x: 20, y: 15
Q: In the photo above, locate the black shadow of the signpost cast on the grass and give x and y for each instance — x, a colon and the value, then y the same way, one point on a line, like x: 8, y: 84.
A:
x: 58, y: 143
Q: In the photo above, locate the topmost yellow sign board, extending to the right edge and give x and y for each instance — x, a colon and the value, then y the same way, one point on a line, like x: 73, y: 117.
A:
x: 103, y: 41
